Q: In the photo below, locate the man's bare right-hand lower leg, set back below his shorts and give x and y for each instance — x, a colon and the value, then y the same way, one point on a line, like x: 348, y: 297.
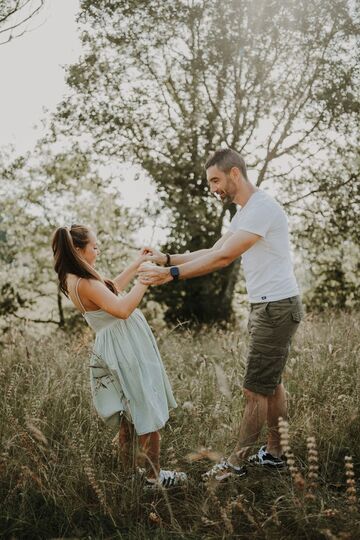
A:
x: 277, y: 406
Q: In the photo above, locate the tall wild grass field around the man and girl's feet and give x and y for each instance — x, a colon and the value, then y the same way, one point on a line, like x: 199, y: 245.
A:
x: 60, y: 469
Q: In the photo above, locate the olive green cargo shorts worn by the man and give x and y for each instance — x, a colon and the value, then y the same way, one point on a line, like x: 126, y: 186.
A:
x: 271, y: 326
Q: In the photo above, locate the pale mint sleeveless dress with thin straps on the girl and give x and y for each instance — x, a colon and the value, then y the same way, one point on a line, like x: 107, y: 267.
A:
x: 127, y: 375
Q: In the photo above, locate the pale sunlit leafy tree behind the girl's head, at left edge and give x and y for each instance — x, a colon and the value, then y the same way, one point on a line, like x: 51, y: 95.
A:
x: 39, y: 193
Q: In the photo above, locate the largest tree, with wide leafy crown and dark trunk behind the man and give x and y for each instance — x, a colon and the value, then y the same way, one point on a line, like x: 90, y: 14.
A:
x: 163, y: 84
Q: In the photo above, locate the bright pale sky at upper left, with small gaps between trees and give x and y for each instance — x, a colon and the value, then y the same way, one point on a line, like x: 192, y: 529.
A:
x: 33, y: 83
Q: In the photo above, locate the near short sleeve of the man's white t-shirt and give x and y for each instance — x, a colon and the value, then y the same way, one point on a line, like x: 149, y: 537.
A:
x: 256, y: 220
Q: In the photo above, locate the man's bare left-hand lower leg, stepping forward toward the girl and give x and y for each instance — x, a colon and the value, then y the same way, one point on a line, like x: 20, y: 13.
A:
x: 255, y: 414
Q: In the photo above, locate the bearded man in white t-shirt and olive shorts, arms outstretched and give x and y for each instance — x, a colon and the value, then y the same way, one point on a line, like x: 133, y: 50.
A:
x: 259, y: 233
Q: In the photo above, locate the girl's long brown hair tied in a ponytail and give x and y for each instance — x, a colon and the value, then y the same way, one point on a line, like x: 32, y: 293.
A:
x: 68, y: 261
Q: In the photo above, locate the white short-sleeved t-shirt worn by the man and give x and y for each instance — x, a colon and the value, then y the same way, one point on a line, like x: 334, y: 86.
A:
x: 268, y: 269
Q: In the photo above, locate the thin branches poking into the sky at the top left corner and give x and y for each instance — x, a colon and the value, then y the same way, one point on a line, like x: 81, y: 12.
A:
x: 15, y: 15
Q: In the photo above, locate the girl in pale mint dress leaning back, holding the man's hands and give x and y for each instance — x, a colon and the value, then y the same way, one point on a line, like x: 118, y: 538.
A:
x: 129, y: 385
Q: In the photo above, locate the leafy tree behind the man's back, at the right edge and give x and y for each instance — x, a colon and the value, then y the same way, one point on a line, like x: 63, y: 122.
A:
x: 328, y: 231
